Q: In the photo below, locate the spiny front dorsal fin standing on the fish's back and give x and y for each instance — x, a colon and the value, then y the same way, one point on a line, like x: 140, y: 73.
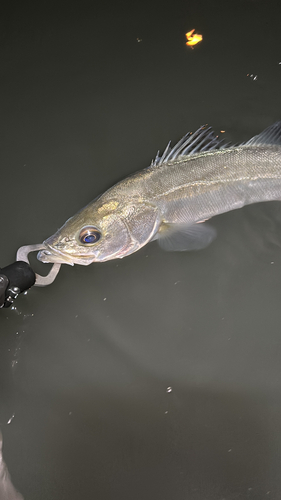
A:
x: 204, y: 139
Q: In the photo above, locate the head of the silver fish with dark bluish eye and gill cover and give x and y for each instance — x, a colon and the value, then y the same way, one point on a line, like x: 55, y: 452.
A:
x: 104, y: 230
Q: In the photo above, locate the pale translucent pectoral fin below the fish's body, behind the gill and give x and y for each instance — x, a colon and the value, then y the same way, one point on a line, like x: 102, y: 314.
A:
x: 182, y: 237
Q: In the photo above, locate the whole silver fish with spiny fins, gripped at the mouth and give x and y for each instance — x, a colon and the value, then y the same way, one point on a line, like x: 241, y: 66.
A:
x: 170, y: 200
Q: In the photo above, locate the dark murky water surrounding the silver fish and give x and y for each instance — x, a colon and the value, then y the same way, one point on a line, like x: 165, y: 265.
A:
x: 86, y: 362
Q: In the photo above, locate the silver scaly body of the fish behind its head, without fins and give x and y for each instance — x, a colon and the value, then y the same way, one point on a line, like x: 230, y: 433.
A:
x: 208, y: 184
